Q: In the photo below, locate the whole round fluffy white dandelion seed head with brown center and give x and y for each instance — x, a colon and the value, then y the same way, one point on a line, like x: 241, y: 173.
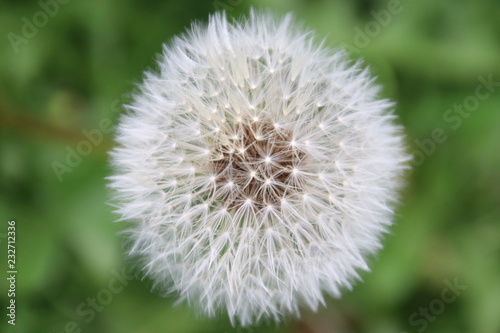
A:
x: 257, y: 169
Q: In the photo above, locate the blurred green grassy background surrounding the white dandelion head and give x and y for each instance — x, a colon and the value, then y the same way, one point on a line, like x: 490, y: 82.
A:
x: 69, y: 73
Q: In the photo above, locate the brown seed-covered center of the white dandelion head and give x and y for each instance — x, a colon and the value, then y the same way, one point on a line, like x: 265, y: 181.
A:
x: 254, y: 163
